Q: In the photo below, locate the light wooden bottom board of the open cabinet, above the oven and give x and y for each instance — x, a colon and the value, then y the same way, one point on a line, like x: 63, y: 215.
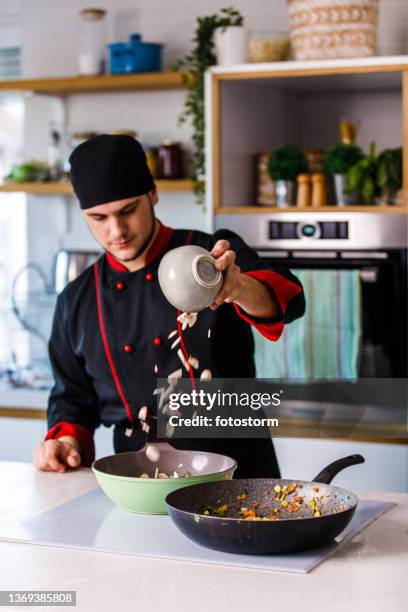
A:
x: 250, y: 210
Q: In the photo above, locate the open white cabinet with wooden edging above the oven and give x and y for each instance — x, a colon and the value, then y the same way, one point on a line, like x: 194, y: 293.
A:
x: 255, y: 108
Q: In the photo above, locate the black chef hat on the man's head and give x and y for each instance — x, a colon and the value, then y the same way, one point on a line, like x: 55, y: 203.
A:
x: 107, y: 168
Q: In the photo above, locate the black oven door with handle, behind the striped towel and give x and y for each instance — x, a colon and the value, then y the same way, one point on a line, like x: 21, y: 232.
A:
x: 383, y: 277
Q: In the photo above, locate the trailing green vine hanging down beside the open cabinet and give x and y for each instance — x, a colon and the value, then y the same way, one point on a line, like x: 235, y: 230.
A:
x: 193, y: 66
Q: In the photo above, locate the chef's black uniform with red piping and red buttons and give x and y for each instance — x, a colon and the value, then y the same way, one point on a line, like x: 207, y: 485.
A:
x: 110, y: 335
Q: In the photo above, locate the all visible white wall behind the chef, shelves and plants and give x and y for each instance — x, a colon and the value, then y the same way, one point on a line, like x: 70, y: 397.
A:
x: 49, y: 33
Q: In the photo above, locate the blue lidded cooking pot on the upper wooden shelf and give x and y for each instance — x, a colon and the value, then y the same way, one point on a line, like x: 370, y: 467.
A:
x: 135, y: 56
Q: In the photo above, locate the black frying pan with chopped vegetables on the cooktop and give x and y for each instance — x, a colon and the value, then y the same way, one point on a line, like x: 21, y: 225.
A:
x: 225, y: 528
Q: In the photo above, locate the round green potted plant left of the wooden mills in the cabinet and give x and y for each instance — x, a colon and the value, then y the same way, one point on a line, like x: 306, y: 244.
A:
x: 284, y: 165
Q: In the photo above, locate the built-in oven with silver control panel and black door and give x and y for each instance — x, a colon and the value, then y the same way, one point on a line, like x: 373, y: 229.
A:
x: 375, y: 244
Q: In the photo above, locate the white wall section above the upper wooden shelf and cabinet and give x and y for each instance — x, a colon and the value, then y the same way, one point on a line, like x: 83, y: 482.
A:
x: 169, y: 21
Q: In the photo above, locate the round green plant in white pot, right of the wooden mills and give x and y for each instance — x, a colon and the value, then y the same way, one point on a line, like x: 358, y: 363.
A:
x: 338, y: 160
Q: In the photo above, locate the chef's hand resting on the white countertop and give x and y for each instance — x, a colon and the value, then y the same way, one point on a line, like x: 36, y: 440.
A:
x: 57, y: 455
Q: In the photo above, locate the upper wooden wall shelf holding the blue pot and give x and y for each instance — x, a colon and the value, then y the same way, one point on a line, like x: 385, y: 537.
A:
x: 104, y: 83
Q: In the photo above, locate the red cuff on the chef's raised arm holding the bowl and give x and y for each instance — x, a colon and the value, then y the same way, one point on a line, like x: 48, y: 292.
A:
x: 284, y: 290
